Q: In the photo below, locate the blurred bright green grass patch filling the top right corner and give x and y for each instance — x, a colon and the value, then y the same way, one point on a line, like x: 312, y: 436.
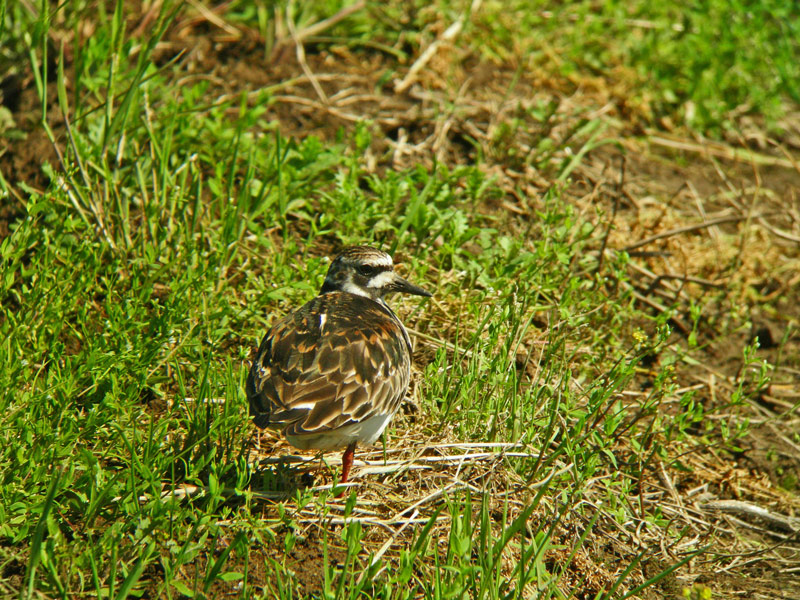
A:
x: 701, y: 65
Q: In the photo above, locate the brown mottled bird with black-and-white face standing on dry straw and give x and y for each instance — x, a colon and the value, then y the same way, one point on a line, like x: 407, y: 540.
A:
x: 333, y: 373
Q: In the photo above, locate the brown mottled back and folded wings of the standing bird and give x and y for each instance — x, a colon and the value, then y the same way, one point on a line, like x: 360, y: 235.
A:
x: 308, y: 379
